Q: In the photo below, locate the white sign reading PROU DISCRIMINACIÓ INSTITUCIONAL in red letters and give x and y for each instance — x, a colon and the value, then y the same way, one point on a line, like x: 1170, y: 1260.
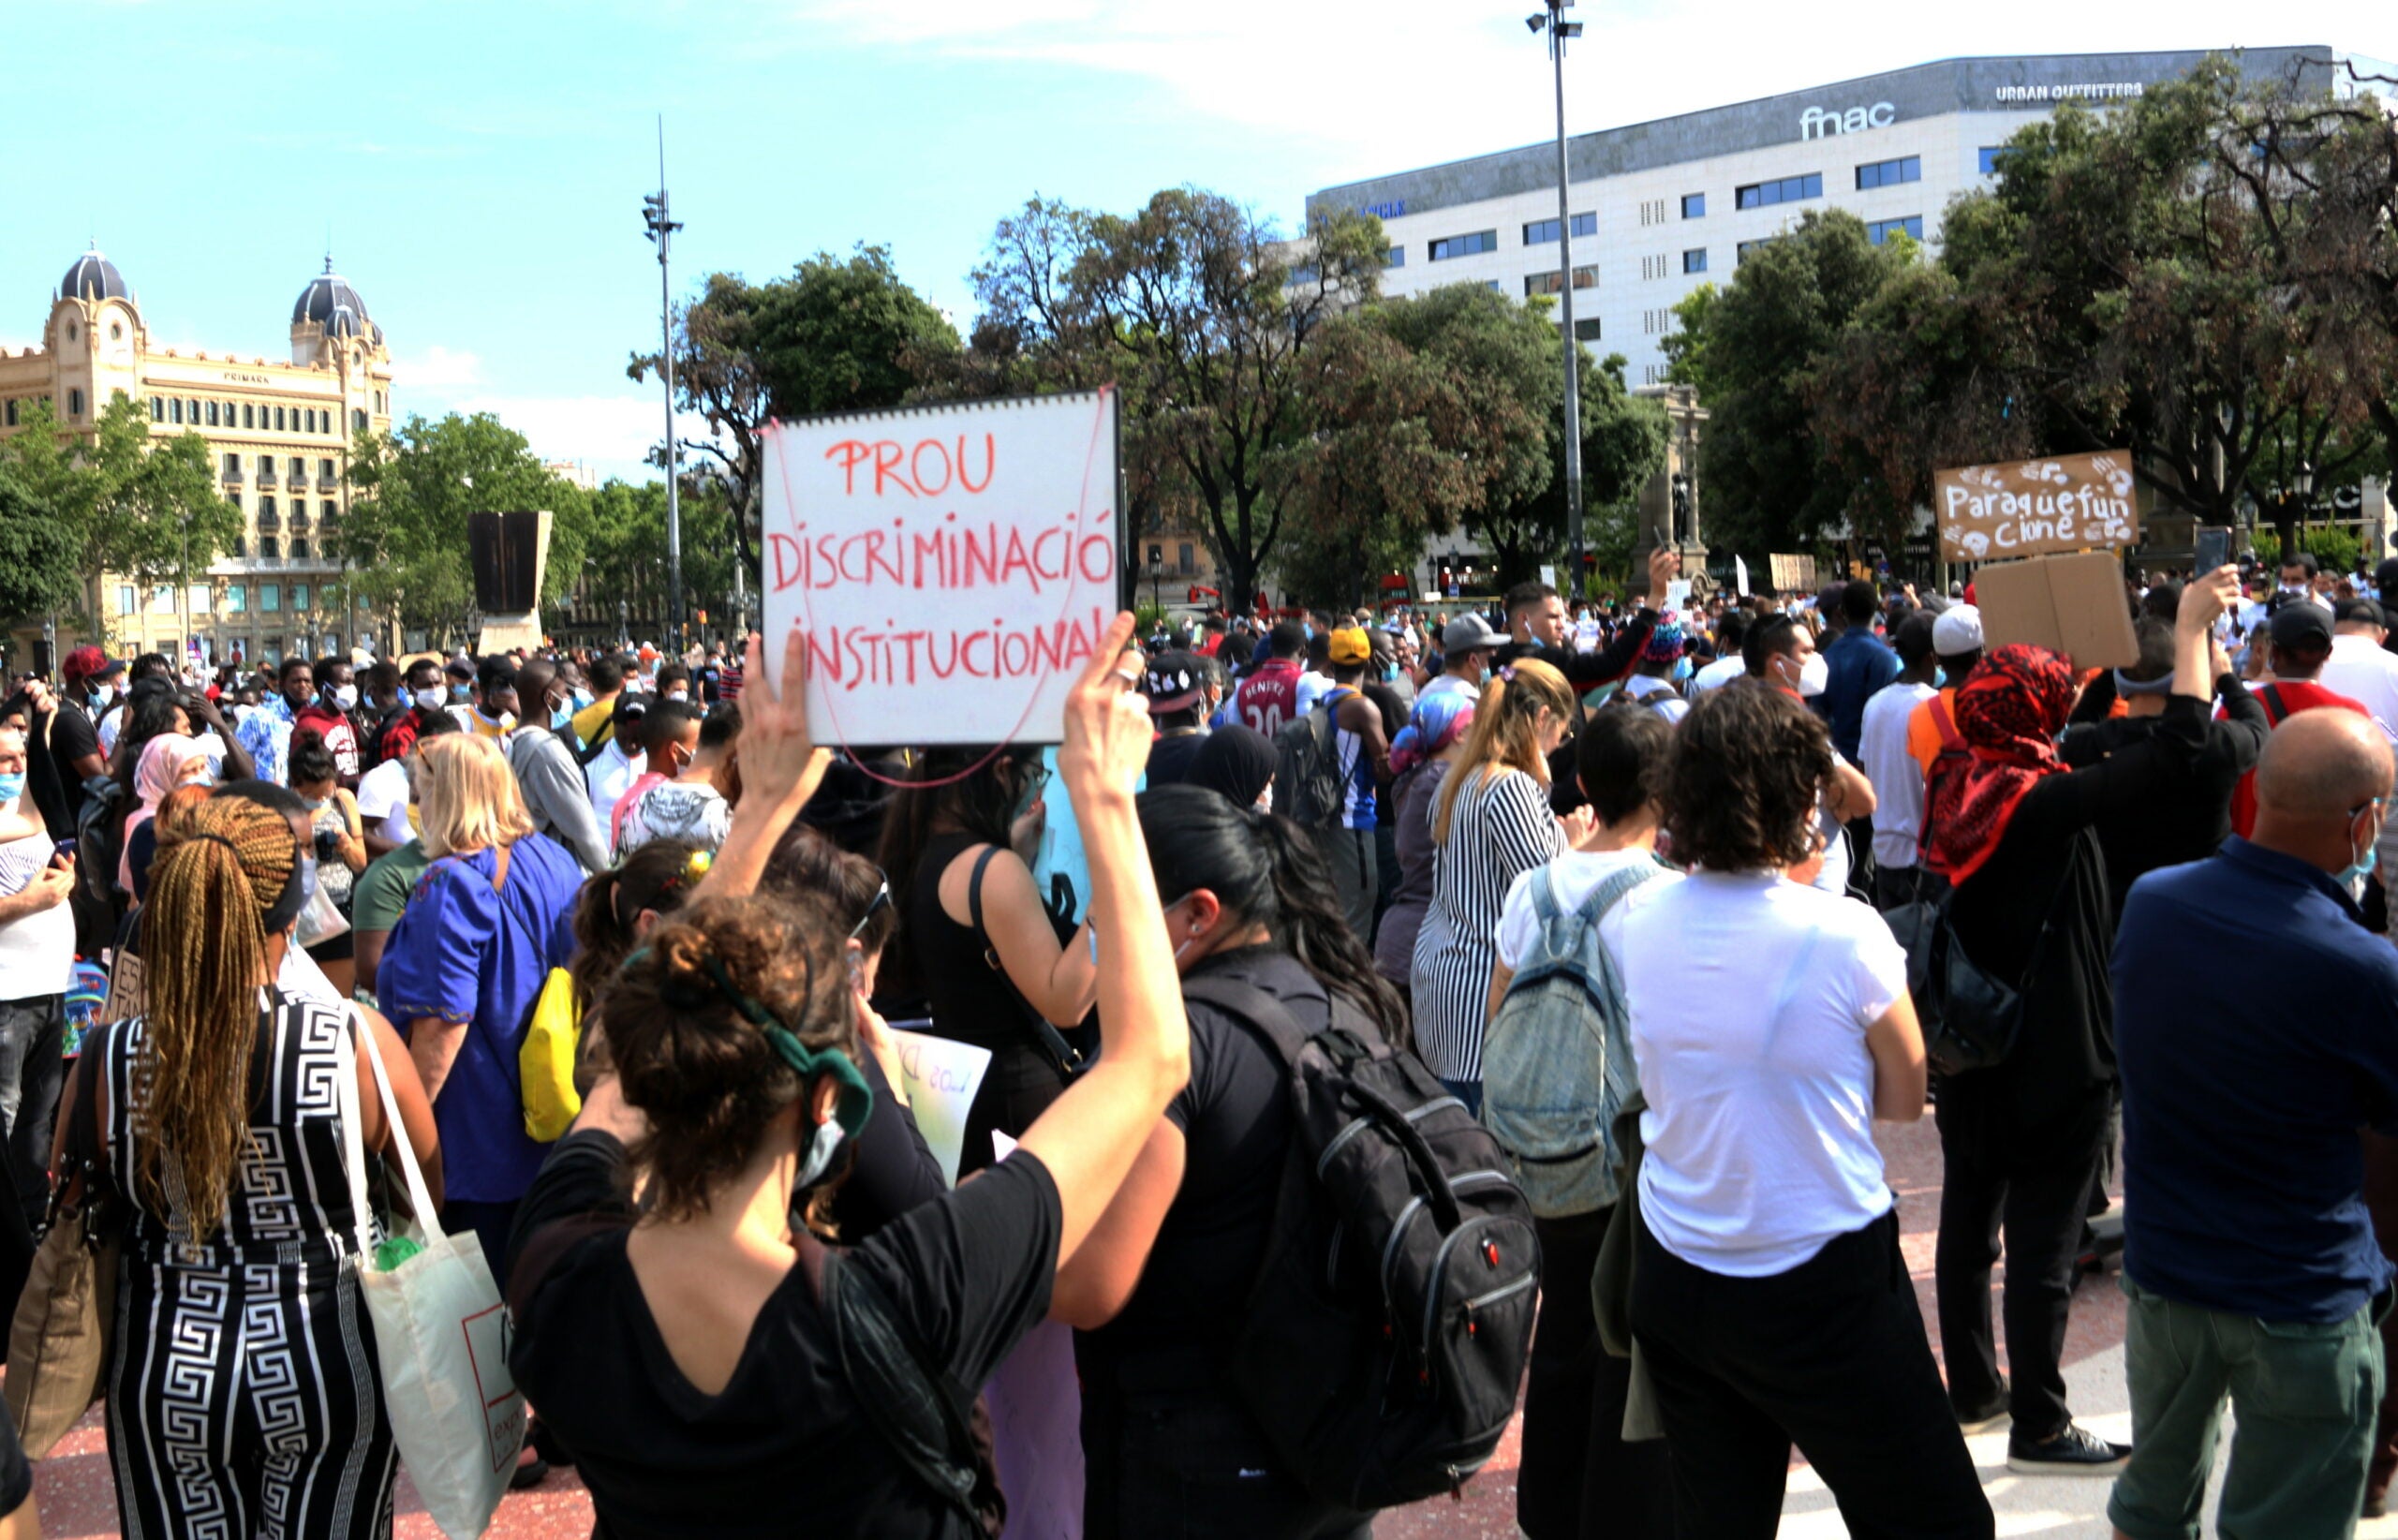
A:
x: 951, y: 567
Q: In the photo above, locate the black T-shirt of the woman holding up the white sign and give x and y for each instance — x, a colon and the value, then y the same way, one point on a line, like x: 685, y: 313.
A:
x: 785, y: 1448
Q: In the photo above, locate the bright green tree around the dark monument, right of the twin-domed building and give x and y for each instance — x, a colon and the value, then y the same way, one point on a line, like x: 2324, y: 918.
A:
x: 411, y: 495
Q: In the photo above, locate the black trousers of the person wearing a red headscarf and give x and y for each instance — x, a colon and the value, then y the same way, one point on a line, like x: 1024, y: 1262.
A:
x: 2042, y: 1205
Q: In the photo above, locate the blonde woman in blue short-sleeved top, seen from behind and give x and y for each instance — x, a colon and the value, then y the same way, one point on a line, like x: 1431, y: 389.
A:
x: 464, y: 965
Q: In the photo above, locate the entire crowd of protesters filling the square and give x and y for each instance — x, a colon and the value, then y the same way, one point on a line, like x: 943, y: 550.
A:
x: 1644, y: 891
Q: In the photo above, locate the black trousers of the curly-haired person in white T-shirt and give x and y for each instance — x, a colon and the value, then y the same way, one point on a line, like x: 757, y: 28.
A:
x: 1828, y: 1356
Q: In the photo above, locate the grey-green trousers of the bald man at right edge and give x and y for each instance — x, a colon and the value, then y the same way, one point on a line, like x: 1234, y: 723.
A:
x: 2303, y: 1395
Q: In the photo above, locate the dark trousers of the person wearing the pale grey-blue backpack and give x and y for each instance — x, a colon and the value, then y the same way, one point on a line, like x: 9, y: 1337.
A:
x: 1579, y: 1479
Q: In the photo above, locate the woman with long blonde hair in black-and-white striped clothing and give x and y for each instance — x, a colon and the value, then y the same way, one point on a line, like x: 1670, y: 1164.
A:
x: 1490, y: 826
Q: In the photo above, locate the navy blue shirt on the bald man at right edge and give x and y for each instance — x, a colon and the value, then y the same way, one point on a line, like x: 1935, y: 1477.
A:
x: 2258, y: 1030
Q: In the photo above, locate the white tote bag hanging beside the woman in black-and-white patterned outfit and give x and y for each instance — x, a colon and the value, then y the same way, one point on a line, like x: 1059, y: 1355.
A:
x: 440, y: 1333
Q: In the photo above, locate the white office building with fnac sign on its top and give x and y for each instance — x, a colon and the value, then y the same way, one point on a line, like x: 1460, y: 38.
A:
x: 1663, y: 207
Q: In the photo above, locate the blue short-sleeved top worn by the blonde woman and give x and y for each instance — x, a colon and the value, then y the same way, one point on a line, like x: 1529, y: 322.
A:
x: 481, y: 956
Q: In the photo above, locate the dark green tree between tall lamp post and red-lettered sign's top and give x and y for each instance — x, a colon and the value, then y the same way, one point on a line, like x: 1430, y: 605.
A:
x: 836, y: 337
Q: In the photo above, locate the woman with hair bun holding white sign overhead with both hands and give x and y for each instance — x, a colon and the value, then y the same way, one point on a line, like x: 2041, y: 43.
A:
x: 685, y: 1349
